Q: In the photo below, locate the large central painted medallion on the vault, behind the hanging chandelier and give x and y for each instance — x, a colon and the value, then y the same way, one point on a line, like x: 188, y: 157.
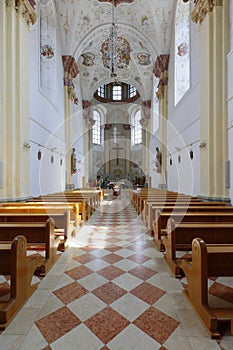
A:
x: 122, y: 53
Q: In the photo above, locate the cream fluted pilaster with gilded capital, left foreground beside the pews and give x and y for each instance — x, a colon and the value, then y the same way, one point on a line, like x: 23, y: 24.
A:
x: 15, y: 97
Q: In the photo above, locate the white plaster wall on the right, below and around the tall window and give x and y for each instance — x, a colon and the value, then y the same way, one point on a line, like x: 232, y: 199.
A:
x: 183, y: 127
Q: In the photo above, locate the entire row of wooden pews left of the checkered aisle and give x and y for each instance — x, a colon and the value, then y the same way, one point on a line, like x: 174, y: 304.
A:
x: 43, y: 224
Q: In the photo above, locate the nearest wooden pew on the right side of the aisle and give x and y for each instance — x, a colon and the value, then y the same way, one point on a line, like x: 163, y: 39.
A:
x: 208, y: 261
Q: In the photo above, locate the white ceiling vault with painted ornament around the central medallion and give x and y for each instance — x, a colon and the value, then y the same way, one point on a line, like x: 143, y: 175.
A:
x: 85, y: 24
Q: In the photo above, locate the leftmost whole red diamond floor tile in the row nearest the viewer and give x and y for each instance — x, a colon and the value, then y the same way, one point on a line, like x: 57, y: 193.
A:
x: 57, y: 324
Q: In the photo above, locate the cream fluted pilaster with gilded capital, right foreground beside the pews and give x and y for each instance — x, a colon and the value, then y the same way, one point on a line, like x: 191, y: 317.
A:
x: 213, y: 111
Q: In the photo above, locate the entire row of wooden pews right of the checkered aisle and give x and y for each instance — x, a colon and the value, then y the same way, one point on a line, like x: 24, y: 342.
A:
x: 197, y: 240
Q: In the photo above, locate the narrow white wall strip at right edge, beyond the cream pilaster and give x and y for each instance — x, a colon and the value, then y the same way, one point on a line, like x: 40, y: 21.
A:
x: 230, y: 101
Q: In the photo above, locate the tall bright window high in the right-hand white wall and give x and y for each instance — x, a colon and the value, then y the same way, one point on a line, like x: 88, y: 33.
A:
x: 182, y: 50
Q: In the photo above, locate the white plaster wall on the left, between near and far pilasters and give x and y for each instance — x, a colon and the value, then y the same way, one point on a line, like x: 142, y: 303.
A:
x: 46, y: 125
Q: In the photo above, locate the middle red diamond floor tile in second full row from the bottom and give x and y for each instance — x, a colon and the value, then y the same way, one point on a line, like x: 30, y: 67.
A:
x: 109, y: 292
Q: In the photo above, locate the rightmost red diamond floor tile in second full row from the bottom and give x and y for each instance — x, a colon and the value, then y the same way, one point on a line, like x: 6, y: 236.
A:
x: 148, y: 293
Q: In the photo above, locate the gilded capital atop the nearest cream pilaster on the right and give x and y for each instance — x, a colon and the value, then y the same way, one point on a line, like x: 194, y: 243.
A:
x: 203, y: 8
